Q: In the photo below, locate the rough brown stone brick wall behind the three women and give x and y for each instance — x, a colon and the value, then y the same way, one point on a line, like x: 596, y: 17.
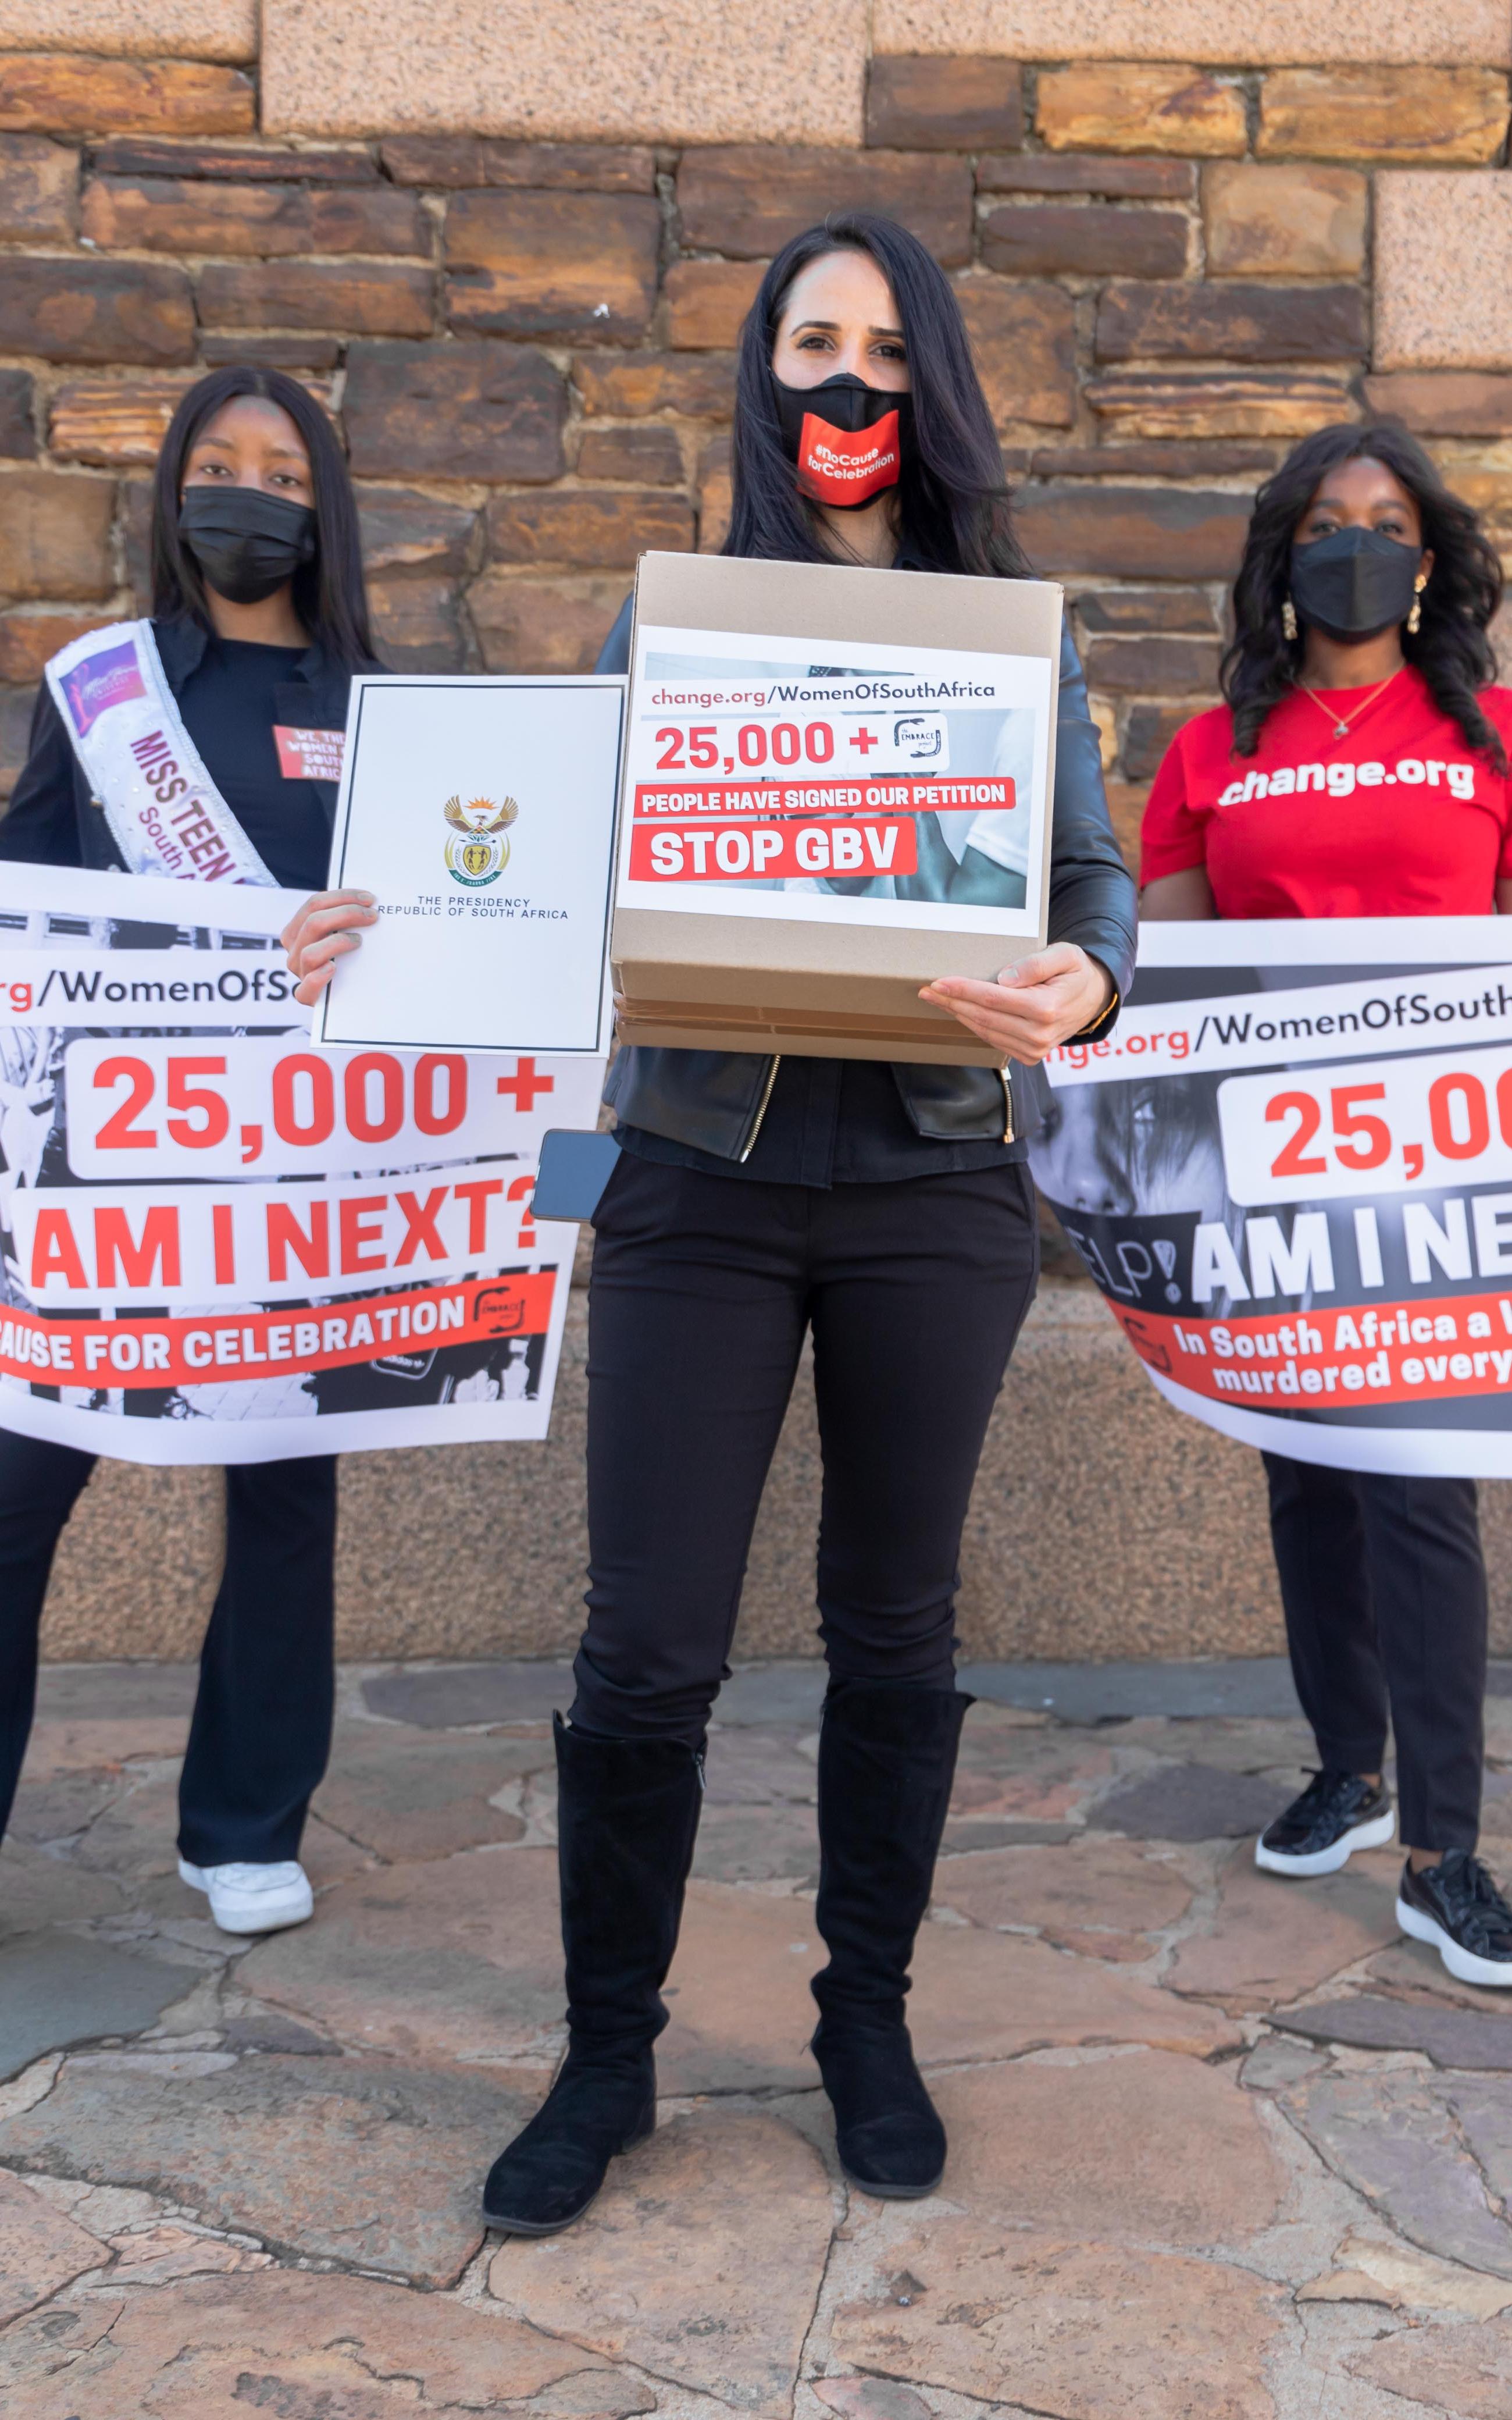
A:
x: 1170, y: 270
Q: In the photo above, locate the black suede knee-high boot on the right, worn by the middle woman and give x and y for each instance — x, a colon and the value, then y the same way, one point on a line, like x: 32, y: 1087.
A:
x: 887, y: 1768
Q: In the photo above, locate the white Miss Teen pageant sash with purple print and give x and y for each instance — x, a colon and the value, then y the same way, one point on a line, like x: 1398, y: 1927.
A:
x: 144, y: 771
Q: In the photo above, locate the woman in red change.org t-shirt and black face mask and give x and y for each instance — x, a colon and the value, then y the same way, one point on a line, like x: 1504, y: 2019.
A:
x: 1361, y: 768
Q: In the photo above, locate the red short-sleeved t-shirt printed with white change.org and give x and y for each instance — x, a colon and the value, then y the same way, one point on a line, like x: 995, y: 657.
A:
x: 1397, y: 819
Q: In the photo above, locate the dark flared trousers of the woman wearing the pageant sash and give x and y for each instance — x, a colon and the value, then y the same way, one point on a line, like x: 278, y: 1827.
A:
x: 262, y: 1719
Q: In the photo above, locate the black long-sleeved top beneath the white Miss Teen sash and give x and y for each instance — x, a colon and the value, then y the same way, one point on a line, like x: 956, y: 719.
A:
x: 231, y: 698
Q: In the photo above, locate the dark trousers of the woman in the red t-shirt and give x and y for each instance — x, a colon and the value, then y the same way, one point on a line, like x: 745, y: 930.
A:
x: 1385, y: 1594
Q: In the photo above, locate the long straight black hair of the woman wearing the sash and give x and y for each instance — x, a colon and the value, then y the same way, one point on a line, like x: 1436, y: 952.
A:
x: 330, y: 594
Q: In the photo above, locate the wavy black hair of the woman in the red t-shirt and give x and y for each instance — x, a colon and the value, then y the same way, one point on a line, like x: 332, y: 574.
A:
x: 1465, y: 592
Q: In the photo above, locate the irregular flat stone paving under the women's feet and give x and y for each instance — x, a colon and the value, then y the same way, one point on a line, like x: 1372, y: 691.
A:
x: 1223, y: 2148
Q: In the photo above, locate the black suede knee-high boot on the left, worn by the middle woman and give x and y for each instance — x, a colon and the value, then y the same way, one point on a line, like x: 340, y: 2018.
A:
x: 628, y: 1823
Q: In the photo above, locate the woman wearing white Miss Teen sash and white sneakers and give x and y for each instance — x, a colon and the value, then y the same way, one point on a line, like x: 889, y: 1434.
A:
x: 204, y: 744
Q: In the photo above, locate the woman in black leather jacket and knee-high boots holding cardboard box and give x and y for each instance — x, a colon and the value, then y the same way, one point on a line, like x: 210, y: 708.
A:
x: 882, y: 1206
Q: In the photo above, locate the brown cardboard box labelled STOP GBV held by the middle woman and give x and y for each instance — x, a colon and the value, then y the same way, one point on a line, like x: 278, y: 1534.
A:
x: 800, y: 727
